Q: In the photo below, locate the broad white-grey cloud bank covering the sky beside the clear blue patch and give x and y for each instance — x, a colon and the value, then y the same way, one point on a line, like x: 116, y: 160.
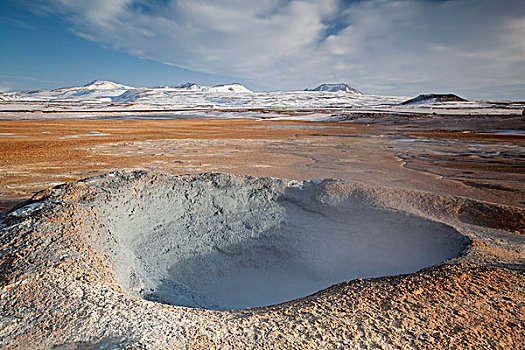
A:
x: 471, y: 47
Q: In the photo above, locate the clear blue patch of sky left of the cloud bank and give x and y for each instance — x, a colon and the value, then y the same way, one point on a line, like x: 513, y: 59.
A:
x: 42, y: 52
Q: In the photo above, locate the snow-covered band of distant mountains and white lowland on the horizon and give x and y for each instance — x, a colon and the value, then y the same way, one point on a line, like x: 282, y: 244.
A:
x: 104, y: 95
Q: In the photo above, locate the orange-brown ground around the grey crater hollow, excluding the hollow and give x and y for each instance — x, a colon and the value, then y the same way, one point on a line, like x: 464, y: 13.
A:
x: 473, y: 301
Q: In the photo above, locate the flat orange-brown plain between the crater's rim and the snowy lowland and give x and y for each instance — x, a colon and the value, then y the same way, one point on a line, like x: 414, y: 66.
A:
x: 39, y: 154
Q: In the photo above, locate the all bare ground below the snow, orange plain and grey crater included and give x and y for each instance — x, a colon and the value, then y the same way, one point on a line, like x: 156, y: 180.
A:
x: 419, y: 244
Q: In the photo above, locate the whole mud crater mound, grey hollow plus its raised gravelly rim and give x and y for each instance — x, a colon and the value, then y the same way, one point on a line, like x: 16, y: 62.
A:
x: 129, y: 259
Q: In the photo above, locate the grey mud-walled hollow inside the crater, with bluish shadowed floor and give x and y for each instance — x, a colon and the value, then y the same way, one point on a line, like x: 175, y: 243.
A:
x: 221, y: 241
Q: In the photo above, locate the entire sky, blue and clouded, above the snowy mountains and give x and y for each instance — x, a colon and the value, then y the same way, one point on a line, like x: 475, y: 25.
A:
x: 475, y: 48
